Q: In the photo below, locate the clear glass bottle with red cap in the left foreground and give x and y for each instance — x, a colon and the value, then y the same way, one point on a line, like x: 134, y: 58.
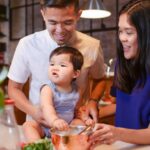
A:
x: 9, y: 133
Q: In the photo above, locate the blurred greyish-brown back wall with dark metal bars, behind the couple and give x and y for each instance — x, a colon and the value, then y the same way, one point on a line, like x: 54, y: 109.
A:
x: 22, y: 17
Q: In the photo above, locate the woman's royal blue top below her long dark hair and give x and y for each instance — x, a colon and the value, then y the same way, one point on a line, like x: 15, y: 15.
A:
x: 133, y: 110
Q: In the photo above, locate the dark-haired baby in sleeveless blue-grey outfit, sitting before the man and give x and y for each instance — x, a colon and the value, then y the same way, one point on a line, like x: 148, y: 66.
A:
x: 60, y: 96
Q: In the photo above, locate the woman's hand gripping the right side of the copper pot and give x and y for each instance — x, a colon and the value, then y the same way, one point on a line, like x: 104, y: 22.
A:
x: 103, y: 134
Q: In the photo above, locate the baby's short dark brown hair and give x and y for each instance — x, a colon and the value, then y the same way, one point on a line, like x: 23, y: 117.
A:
x: 76, y: 58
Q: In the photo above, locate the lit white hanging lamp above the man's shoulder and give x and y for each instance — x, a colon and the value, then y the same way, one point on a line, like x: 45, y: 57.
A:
x: 94, y: 9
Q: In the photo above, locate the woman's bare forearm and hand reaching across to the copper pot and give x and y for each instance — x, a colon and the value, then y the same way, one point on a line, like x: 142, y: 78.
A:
x: 108, y: 134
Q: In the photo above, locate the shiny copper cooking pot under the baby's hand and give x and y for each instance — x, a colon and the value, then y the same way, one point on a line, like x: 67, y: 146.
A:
x: 75, y: 138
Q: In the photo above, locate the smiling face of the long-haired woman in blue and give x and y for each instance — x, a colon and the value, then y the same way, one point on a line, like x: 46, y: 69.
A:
x: 128, y: 37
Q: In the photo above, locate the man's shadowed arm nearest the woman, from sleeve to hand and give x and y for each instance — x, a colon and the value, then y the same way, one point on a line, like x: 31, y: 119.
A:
x: 97, y: 73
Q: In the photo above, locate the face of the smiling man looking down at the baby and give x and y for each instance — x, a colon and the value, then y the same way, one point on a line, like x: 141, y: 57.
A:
x: 60, y: 22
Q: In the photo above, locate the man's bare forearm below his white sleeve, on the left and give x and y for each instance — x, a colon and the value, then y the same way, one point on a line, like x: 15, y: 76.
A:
x: 21, y: 101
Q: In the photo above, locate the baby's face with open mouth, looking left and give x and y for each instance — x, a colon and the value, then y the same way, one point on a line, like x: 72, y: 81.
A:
x: 61, y: 70
